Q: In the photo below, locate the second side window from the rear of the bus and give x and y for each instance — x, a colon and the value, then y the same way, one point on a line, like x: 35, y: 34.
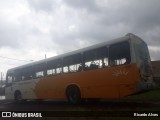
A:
x: 97, y: 58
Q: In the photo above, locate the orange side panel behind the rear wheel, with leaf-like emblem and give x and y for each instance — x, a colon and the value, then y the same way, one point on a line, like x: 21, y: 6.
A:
x: 113, y: 82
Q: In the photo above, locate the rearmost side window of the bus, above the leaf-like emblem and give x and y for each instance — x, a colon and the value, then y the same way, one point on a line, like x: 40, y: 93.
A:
x: 119, y: 54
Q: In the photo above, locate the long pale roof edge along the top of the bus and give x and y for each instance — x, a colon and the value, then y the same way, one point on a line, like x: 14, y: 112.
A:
x: 106, y: 43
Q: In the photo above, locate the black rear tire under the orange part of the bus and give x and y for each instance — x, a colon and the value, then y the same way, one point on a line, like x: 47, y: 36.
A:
x: 73, y: 94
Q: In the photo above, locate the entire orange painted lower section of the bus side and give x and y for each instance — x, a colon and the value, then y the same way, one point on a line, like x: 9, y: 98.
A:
x: 111, y: 82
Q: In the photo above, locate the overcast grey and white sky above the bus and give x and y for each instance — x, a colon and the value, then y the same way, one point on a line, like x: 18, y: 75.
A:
x: 29, y: 29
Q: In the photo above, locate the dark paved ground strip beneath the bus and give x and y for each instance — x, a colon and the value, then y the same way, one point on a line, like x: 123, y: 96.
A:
x: 60, y: 105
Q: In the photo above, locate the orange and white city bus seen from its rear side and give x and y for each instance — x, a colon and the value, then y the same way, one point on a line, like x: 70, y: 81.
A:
x: 108, y: 70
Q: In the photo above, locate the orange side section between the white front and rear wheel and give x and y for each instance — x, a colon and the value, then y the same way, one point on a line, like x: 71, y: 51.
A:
x: 51, y: 87
